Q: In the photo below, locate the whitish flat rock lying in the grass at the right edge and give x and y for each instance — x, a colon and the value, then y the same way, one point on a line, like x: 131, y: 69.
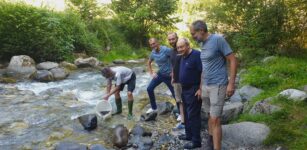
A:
x: 294, y: 94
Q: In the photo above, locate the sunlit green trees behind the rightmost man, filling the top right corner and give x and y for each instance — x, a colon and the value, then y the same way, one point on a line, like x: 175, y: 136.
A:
x: 257, y: 28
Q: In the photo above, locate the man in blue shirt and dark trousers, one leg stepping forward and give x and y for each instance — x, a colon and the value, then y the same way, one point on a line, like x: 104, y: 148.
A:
x: 161, y: 55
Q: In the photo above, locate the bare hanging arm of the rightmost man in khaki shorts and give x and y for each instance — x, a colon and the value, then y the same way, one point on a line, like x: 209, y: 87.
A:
x: 233, y: 71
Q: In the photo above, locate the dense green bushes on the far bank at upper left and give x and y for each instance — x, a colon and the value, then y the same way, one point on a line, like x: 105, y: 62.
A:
x: 41, y: 33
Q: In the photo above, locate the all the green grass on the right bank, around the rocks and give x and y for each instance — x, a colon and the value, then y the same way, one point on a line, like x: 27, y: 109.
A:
x: 289, y: 125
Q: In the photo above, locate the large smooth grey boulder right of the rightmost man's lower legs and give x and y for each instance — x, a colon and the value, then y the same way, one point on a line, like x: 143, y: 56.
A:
x: 245, y: 134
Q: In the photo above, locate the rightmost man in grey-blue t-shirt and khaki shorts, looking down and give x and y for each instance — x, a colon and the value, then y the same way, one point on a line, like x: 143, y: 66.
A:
x: 215, y: 52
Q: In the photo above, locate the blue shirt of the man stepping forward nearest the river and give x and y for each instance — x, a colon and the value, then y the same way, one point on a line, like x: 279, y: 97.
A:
x: 162, y: 59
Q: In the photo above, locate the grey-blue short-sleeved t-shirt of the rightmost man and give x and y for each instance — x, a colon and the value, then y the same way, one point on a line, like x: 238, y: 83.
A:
x: 213, y: 52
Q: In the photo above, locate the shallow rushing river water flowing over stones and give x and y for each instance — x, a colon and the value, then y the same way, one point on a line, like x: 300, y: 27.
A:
x: 35, y: 115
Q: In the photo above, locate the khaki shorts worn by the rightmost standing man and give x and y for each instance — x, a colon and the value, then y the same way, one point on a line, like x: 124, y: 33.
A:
x: 213, y: 97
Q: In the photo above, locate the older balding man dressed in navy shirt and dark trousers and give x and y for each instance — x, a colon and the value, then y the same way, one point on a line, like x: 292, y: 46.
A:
x: 190, y: 80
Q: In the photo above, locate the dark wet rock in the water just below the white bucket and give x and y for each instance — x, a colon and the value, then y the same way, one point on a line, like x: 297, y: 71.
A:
x: 89, y: 122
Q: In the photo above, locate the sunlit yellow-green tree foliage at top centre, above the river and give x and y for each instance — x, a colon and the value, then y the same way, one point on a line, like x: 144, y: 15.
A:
x: 140, y: 19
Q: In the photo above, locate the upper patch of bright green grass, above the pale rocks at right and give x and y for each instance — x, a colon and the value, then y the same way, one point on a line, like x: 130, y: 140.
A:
x: 278, y: 74
